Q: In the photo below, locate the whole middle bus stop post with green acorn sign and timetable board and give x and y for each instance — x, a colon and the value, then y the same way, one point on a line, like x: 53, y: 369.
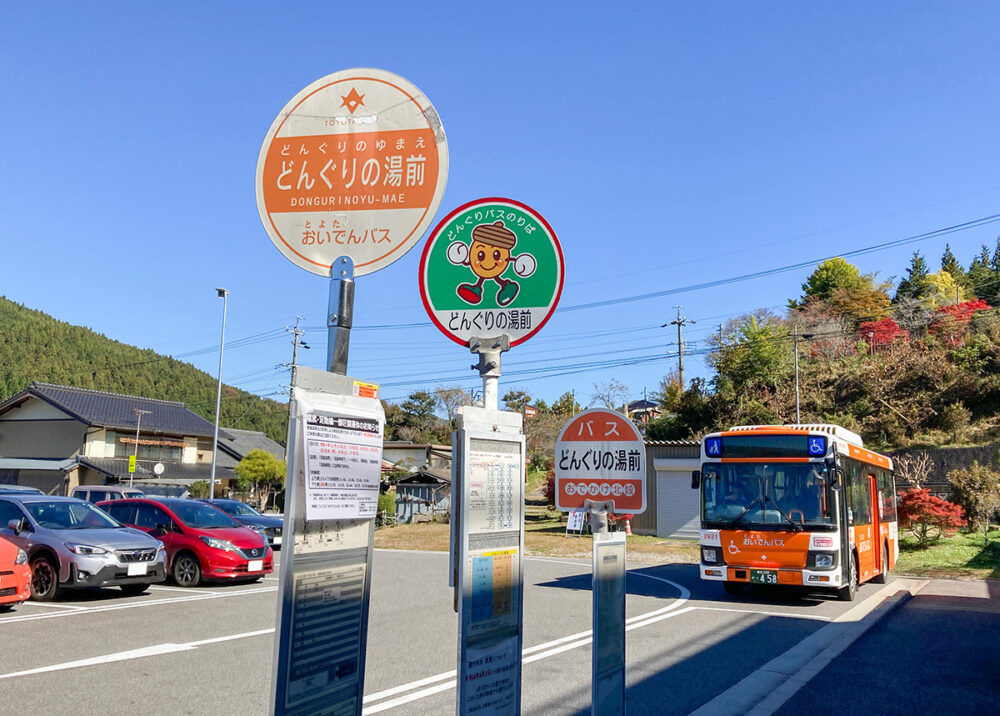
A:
x: 490, y: 277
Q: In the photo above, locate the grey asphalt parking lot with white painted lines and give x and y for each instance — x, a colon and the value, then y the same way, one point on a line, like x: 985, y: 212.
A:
x: 209, y: 650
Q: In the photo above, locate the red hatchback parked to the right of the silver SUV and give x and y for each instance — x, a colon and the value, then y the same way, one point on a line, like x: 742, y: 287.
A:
x: 203, y: 542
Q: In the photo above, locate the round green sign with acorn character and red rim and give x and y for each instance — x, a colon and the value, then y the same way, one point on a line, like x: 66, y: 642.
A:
x: 492, y: 266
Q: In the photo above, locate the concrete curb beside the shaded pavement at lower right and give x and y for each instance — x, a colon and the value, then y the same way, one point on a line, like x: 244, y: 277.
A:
x: 764, y: 691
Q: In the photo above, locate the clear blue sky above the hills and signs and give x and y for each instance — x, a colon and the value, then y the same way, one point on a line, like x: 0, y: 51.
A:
x: 668, y: 144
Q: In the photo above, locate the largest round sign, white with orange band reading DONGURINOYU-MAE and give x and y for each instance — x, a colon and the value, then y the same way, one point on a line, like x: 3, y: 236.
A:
x: 354, y: 165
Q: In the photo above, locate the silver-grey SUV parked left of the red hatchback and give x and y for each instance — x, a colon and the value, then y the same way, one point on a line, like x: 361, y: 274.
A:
x: 71, y: 544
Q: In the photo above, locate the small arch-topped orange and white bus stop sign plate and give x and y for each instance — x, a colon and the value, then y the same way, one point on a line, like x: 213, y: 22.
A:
x: 600, y: 456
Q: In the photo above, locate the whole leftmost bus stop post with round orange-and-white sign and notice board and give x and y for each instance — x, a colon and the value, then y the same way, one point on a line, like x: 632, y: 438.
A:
x: 348, y: 179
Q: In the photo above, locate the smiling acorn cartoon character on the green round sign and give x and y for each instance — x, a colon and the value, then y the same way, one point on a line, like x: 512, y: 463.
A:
x: 488, y: 257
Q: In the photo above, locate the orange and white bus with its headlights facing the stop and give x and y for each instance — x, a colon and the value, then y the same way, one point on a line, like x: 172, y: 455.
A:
x: 803, y: 505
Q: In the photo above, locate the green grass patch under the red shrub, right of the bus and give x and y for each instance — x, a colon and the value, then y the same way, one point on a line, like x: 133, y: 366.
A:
x: 960, y: 556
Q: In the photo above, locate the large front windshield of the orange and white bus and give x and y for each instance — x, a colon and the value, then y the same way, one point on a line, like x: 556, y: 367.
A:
x: 747, y: 494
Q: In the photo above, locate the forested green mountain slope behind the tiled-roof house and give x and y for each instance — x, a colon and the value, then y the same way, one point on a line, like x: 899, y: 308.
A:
x: 36, y: 346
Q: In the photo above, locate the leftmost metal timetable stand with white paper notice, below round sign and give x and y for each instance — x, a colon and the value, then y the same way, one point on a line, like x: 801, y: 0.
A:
x: 325, y: 570
